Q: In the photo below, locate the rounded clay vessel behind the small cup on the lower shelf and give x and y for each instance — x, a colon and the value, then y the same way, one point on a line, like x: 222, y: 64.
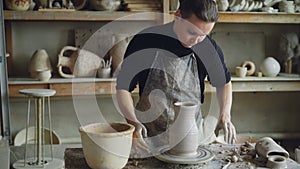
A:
x: 39, y: 61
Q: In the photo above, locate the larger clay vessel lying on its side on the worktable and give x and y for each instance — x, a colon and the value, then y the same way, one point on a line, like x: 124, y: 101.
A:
x: 267, y: 147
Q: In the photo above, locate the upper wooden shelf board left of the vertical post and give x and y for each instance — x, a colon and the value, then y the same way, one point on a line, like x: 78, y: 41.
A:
x: 78, y: 16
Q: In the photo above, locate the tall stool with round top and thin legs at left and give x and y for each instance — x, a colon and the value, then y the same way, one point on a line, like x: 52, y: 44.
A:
x: 39, y: 160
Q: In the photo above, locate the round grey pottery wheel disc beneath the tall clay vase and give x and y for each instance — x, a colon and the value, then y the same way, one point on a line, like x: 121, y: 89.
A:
x: 203, y: 155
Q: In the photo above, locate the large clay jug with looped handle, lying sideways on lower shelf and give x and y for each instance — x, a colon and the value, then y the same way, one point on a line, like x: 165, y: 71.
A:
x: 82, y: 63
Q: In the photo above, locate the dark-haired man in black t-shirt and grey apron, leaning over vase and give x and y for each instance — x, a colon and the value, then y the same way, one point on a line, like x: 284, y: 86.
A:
x: 170, y: 63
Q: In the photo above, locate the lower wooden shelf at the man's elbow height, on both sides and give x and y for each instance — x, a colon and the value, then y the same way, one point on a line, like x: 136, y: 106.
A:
x: 98, y: 86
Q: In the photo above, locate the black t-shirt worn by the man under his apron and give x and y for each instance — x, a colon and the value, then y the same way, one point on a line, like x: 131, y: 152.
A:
x: 142, y: 49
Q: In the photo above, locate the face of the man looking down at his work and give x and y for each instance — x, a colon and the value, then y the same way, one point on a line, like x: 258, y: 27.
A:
x: 192, y: 30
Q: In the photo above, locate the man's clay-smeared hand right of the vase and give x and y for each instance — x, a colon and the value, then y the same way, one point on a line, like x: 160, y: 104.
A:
x: 228, y: 128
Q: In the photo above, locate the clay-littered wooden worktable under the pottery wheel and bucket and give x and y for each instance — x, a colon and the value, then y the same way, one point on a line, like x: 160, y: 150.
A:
x: 74, y: 159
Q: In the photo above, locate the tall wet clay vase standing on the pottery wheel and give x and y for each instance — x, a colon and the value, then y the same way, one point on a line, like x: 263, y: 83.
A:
x: 183, y: 133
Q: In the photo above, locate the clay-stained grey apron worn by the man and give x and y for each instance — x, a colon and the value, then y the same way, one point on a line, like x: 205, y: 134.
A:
x: 170, y: 79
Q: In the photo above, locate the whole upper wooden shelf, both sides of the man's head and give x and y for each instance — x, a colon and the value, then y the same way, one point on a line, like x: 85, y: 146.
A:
x: 225, y: 17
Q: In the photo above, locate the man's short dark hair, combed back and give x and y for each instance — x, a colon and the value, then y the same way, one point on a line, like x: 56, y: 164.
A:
x: 205, y: 10
